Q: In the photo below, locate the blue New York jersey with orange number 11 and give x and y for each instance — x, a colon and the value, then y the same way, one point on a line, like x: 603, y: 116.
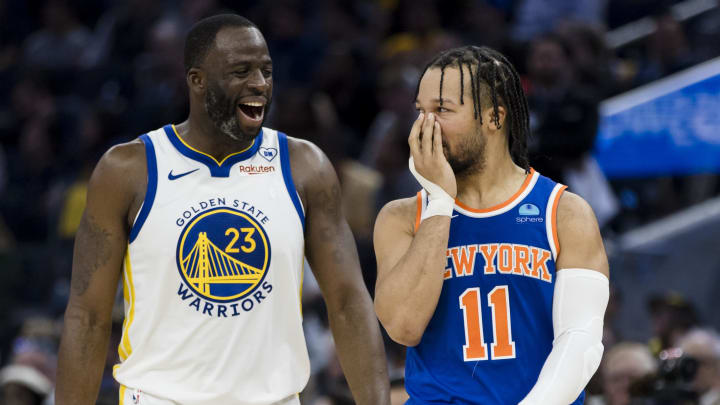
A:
x: 492, y: 328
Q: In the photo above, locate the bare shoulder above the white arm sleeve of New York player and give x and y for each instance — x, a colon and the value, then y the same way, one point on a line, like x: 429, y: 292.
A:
x: 581, y: 244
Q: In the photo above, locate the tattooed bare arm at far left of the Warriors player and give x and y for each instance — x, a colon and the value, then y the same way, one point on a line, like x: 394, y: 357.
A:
x: 100, y: 245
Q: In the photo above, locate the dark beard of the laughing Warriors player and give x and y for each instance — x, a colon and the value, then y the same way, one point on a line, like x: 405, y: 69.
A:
x: 222, y: 111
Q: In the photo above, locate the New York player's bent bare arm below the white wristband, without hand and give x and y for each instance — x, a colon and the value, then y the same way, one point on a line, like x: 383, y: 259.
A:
x: 410, y: 269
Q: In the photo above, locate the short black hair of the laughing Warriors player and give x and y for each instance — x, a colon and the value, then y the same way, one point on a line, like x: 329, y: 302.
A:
x: 201, y: 36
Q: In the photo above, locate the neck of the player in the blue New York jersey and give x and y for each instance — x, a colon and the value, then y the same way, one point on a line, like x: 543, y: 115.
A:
x: 499, y: 179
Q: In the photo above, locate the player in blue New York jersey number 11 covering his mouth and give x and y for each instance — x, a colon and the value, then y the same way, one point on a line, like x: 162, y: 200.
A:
x: 494, y: 277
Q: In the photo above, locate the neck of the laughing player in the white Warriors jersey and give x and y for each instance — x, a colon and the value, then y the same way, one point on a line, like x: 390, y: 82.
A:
x: 199, y: 132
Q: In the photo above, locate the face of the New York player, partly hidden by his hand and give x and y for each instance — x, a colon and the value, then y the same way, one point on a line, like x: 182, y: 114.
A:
x: 463, y: 139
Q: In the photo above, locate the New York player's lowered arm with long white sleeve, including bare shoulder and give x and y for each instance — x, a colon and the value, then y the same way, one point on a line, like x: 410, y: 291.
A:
x: 579, y: 302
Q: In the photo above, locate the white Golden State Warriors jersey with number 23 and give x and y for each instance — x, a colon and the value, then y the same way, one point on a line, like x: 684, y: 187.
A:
x: 212, y: 277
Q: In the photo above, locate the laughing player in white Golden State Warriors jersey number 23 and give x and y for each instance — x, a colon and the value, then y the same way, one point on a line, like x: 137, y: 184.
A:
x: 207, y: 223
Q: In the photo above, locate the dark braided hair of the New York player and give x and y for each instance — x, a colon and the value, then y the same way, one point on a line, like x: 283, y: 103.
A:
x: 494, y: 80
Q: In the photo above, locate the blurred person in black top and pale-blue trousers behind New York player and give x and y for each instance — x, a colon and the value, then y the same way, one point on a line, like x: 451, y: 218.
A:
x: 564, y: 121
